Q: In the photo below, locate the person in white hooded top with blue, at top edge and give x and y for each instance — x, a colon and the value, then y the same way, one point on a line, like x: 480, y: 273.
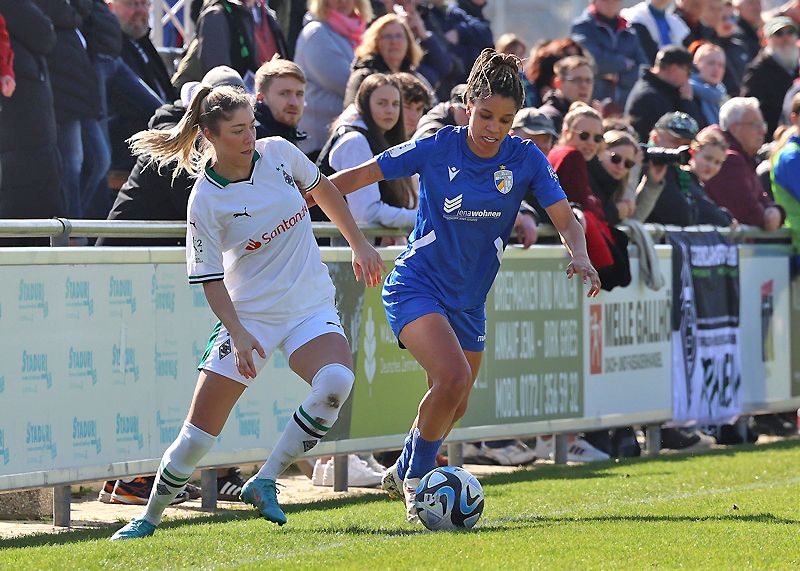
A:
x: 655, y: 26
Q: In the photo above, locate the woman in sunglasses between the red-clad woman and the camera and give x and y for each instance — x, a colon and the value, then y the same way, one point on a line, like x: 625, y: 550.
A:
x: 609, y: 172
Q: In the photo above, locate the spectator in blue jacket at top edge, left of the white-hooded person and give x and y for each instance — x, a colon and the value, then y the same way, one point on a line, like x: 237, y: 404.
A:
x: 614, y: 46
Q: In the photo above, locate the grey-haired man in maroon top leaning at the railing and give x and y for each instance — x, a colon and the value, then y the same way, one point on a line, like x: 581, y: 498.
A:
x: 737, y: 186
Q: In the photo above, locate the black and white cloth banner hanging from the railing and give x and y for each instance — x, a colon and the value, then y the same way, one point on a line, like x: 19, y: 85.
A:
x: 706, y: 371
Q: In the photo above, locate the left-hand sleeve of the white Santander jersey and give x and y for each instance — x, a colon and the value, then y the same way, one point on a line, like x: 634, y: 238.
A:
x: 203, y: 244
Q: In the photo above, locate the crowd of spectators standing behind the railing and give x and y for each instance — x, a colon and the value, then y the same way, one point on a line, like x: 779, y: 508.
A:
x: 716, y: 81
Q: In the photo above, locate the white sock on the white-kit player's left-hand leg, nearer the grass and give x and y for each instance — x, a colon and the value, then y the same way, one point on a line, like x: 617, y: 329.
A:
x: 177, y: 465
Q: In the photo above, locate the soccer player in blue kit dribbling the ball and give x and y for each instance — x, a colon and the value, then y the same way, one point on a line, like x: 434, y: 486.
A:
x: 472, y: 182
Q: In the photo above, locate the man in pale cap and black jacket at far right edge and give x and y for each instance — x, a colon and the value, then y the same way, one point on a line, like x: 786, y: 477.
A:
x: 770, y: 75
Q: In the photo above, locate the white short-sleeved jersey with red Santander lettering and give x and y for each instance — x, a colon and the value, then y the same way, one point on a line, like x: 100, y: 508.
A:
x: 256, y: 235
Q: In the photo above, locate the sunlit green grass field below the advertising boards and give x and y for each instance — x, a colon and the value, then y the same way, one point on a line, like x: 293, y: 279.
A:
x: 727, y: 509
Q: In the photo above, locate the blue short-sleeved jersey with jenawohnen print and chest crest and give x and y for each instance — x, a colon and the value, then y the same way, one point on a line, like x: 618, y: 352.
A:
x: 467, y: 209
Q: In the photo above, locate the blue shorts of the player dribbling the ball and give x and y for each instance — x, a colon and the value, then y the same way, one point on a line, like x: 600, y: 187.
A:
x: 404, y: 304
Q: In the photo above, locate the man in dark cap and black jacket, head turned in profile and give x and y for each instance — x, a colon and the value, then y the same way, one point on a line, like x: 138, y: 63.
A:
x: 662, y: 89
